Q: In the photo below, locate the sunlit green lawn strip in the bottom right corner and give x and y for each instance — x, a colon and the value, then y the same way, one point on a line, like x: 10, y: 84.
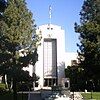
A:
x: 94, y: 95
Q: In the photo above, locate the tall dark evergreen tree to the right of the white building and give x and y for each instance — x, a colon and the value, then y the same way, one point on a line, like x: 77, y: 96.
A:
x: 89, y: 29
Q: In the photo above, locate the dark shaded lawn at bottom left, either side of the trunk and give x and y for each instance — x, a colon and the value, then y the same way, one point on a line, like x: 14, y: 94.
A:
x: 9, y: 96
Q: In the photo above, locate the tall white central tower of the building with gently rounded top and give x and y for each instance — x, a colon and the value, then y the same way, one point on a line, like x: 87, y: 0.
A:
x: 50, y: 65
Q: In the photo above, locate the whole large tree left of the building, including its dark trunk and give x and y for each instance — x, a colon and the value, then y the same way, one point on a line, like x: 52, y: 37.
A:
x: 16, y: 31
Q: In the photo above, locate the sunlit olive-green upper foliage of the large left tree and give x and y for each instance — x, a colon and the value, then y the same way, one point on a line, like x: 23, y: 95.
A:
x: 20, y: 25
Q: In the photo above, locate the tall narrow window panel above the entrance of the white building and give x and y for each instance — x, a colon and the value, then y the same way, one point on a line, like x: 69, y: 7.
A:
x: 50, y: 58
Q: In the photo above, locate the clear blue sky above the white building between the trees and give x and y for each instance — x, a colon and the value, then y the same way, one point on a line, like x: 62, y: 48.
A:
x: 64, y: 13
